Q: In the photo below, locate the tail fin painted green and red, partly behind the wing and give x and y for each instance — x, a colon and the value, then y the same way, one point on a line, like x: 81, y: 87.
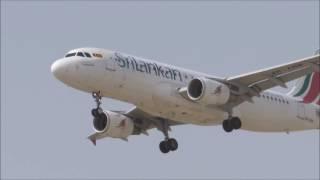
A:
x: 308, y: 88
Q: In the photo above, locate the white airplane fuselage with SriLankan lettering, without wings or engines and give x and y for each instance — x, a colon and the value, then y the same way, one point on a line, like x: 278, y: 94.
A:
x: 152, y: 86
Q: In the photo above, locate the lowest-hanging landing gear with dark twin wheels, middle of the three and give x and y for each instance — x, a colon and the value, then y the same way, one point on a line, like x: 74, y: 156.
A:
x: 168, y: 144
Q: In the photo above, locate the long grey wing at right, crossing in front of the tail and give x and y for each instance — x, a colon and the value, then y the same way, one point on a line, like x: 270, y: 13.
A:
x: 251, y: 84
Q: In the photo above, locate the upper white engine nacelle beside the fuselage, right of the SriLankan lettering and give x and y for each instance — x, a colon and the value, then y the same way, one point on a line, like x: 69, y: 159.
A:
x: 206, y: 91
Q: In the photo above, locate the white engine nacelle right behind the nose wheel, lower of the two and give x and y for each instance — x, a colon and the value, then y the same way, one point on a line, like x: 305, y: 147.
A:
x: 114, y: 125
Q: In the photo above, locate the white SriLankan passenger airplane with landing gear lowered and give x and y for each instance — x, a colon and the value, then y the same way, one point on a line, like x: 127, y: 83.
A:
x: 164, y: 95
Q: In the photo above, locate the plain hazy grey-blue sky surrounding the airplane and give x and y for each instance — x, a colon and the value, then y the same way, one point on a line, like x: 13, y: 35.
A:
x: 44, y: 123
